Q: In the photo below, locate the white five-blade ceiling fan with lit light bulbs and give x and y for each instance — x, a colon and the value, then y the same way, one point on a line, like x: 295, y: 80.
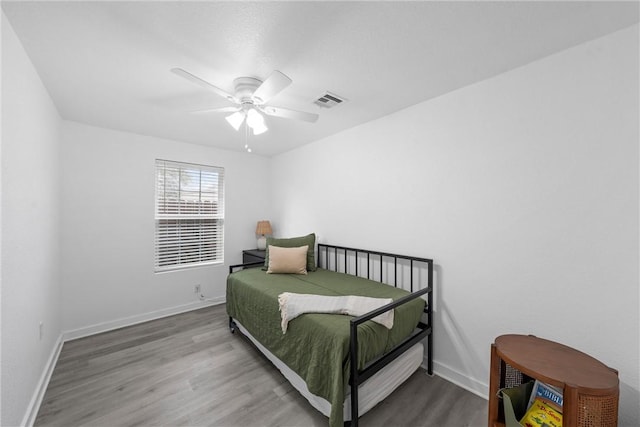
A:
x: 251, y: 96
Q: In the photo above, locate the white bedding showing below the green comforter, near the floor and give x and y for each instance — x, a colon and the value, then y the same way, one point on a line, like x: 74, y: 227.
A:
x: 373, y: 391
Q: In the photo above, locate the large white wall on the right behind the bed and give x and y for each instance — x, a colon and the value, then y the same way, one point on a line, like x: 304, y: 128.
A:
x: 523, y: 188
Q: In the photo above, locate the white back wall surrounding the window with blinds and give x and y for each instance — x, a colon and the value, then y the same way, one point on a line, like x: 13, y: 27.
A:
x: 108, y: 183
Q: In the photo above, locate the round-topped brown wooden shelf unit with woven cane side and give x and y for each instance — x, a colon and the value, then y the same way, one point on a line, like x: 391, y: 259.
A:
x: 590, y: 388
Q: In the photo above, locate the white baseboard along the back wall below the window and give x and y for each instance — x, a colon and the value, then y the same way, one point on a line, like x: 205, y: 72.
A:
x: 138, y: 318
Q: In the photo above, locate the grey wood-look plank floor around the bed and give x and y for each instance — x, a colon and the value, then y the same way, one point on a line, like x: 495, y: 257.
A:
x: 189, y: 370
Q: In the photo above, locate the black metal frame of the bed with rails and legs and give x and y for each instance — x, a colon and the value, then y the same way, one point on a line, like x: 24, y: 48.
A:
x: 339, y: 259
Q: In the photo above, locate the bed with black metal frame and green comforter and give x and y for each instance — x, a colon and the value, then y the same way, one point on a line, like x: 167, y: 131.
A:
x: 349, y: 364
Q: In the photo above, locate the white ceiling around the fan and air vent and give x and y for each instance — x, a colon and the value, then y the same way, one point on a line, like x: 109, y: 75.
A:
x: 107, y: 63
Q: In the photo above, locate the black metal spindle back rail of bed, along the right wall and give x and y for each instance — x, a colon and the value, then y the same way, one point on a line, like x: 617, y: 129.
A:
x: 402, y: 271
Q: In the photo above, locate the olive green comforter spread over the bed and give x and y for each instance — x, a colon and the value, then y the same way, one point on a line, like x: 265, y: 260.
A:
x: 316, y: 346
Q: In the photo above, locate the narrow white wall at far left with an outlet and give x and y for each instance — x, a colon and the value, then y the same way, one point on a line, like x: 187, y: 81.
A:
x: 30, y: 229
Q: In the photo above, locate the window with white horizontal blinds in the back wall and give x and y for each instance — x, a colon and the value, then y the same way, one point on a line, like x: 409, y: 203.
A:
x: 189, y: 215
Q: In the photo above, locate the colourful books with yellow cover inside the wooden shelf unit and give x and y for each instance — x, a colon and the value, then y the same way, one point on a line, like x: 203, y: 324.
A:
x: 545, y: 407
